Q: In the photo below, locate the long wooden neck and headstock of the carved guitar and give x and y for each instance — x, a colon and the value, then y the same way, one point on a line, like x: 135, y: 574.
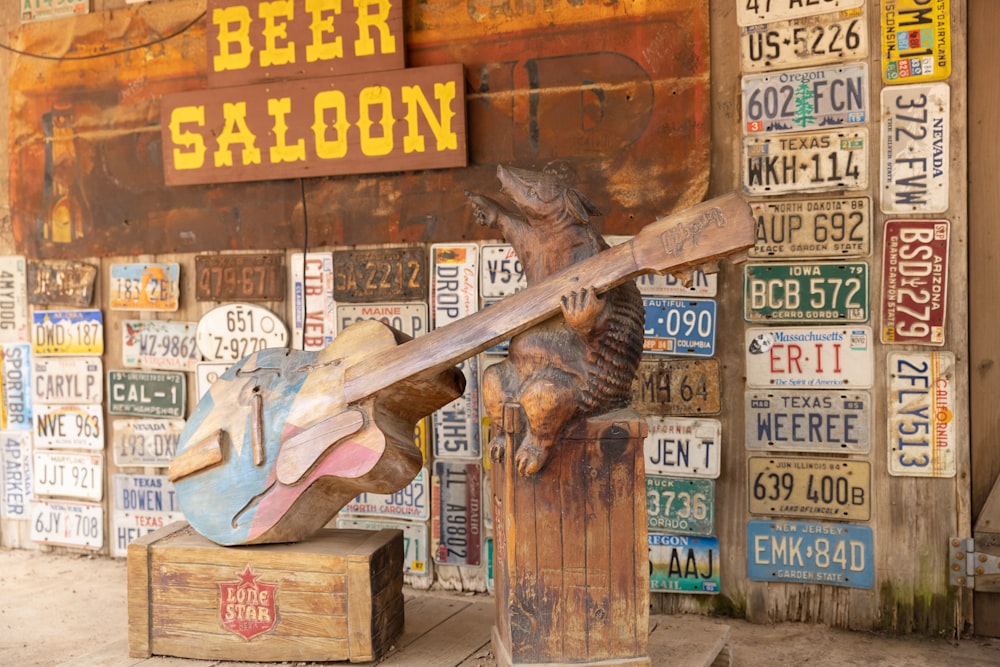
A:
x: 674, y: 243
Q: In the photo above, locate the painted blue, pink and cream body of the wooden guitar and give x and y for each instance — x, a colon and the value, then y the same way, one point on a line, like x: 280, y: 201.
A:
x: 274, y: 449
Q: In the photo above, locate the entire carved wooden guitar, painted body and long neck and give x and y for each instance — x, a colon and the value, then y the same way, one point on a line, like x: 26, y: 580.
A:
x: 285, y: 438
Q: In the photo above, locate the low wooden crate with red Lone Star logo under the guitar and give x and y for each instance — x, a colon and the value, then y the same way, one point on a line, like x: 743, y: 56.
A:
x: 337, y: 596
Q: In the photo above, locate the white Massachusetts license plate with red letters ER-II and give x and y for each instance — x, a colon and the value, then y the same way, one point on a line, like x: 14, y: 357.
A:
x: 809, y: 357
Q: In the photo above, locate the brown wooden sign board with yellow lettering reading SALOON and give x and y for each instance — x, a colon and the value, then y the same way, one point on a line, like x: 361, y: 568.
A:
x: 397, y: 120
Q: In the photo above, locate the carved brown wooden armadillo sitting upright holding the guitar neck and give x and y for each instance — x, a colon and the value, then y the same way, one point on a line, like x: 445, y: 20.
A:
x: 580, y: 363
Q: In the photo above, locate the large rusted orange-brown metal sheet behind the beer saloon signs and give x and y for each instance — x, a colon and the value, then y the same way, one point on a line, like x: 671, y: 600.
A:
x: 614, y: 94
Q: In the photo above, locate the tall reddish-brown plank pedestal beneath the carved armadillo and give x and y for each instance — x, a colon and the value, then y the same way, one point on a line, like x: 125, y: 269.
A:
x: 572, y: 559
